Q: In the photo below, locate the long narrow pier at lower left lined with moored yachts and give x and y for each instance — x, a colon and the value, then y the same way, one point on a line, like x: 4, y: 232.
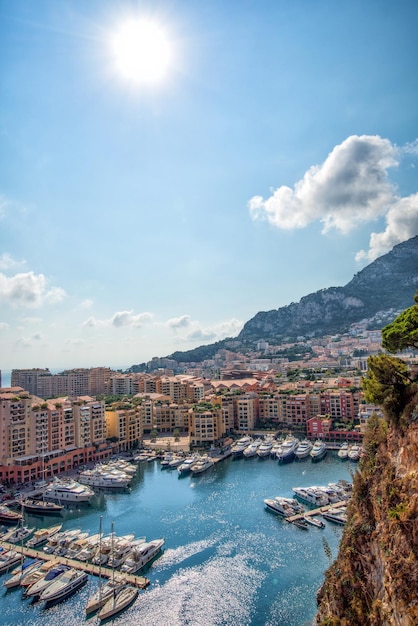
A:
x: 96, y: 570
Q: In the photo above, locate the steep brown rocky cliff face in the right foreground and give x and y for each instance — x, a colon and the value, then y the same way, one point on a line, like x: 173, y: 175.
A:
x: 374, y: 581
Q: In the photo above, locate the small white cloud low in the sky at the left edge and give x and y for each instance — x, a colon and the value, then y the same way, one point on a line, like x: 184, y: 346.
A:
x: 28, y: 289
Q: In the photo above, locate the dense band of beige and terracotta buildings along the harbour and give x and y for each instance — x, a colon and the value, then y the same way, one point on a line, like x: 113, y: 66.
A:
x: 53, y: 423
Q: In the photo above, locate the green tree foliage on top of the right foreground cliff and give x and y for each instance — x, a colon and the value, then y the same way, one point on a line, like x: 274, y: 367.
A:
x: 388, y: 381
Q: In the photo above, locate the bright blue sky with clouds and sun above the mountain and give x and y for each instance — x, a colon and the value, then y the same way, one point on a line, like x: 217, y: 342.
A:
x: 276, y: 155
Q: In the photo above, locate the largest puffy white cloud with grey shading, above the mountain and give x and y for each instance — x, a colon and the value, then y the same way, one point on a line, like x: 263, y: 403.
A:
x: 351, y: 187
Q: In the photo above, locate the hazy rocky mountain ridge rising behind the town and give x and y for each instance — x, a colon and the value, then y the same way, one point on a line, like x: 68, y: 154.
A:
x: 388, y: 283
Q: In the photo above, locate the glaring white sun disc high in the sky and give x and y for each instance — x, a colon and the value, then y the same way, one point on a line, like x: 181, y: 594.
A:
x: 142, y: 51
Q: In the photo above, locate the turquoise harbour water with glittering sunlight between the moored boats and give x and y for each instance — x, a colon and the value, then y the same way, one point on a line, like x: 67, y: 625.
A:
x: 227, y: 560
